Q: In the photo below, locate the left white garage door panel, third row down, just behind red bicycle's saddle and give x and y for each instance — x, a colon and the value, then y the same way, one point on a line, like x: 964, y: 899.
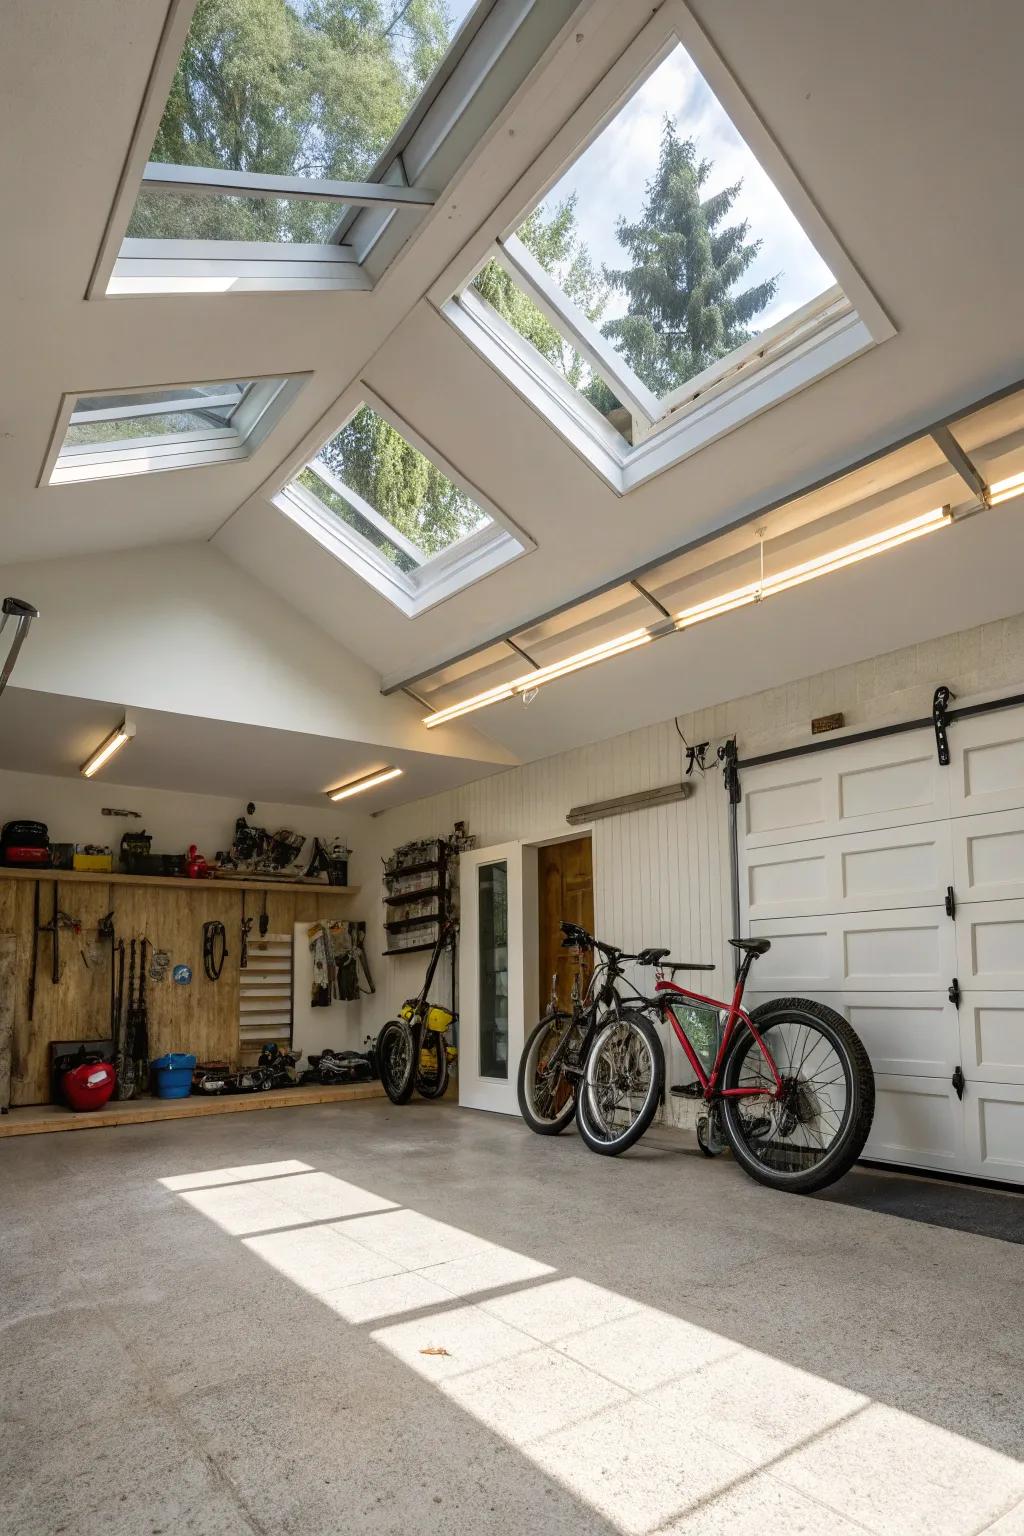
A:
x: 910, y: 952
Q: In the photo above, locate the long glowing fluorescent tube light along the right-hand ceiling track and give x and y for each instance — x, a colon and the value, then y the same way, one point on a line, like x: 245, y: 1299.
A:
x: 713, y: 607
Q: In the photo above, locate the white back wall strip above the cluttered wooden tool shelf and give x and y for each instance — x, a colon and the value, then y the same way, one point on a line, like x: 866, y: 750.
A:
x: 73, y: 813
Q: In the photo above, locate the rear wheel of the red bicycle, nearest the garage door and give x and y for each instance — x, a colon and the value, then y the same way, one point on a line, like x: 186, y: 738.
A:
x: 818, y: 1130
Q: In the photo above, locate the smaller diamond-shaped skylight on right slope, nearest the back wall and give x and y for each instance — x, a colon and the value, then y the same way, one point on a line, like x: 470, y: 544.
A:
x: 375, y: 498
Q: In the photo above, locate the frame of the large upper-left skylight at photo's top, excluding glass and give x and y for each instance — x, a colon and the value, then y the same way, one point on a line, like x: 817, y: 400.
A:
x: 377, y: 216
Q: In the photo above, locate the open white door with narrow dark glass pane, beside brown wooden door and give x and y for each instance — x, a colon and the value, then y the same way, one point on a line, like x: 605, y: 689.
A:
x: 498, y: 961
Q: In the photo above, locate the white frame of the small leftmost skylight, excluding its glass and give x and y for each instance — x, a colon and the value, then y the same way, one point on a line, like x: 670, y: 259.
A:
x: 257, y: 412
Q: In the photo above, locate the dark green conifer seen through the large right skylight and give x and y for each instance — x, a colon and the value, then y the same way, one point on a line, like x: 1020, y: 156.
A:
x: 684, y: 268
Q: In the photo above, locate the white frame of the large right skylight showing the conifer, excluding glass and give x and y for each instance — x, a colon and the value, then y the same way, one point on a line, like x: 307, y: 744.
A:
x: 824, y: 334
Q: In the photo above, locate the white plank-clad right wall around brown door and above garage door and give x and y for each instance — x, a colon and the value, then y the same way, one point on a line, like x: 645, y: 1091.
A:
x: 664, y: 876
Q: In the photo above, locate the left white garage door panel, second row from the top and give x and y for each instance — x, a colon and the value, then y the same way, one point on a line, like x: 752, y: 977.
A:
x: 853, y: 873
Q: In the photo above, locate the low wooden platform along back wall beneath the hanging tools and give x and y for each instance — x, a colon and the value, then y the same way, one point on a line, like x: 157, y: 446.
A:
x: 139, y: 1111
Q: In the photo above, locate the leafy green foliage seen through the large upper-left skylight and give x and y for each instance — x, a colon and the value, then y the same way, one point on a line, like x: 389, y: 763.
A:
x: 311, y: 88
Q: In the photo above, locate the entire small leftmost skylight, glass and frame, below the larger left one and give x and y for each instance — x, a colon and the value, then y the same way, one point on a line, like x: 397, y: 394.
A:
x: 148, y: 431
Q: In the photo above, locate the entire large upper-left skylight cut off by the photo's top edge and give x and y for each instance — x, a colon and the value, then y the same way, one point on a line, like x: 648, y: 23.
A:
x: 286, y: 141
